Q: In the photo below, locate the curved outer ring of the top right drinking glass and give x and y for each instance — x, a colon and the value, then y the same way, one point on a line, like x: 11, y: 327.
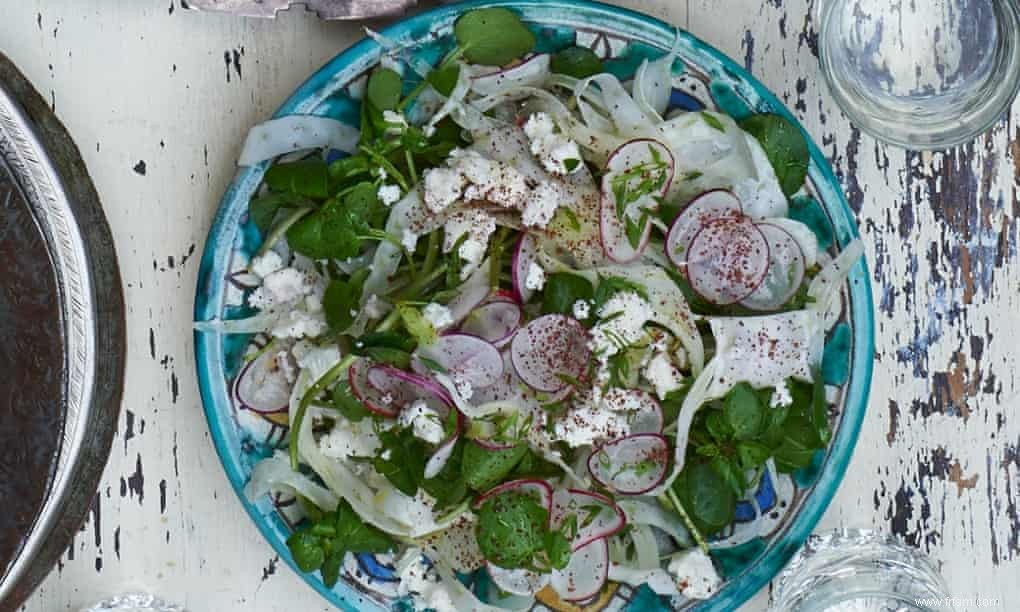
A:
x: 897, y: 129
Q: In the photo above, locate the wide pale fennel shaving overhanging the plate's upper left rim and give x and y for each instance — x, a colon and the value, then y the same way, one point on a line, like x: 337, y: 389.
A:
x: 296, y: 133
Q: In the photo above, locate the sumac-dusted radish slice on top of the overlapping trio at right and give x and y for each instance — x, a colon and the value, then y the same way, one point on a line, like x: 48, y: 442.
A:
x: 728, y: 261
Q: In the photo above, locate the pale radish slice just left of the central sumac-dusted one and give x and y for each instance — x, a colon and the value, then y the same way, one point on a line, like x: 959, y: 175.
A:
x: 465, y: 358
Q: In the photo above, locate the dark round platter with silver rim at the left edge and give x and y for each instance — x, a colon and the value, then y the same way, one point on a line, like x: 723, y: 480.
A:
x: 42, y: 174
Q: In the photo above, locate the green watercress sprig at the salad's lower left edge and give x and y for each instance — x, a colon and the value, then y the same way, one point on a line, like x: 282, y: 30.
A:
x: 322, y: 544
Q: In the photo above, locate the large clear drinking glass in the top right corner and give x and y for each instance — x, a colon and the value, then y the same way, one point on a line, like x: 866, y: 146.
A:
x: 923, y: 75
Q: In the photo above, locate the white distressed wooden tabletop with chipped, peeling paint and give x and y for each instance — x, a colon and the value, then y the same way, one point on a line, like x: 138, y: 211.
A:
x: 160, y: 98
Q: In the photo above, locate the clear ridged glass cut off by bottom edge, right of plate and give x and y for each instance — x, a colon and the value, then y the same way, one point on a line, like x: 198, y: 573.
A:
x: 860, y: 571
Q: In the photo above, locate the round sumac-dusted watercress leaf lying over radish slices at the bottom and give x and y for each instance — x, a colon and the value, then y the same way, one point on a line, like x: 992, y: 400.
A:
x: 512, y: 529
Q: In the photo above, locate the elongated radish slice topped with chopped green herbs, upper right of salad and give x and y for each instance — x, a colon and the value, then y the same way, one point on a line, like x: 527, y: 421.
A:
x: 630, y: 158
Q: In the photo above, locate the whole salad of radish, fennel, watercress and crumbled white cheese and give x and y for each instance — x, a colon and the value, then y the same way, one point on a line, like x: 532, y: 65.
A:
x: 527, y: 321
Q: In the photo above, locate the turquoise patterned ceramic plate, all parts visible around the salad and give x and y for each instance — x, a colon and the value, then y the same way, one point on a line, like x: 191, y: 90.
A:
x: 707, y: 79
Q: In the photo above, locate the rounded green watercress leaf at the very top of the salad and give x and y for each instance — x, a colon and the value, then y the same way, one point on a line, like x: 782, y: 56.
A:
x: 493, y: 36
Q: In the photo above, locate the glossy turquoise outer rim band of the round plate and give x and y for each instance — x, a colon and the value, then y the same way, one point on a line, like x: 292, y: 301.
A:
x: 624, y: 23
